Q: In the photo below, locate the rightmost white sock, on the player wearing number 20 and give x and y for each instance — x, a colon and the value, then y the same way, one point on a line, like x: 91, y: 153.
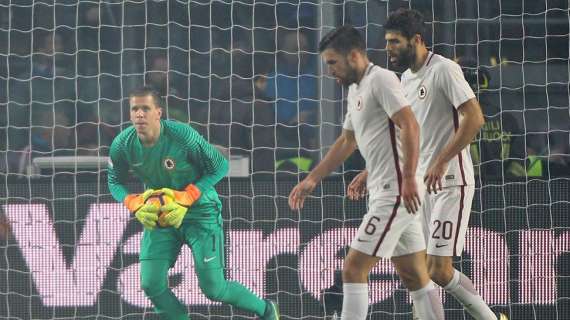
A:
x: 463, y: 290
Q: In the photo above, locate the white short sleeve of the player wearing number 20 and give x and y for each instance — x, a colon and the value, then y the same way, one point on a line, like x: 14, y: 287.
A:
x: 454, y: 85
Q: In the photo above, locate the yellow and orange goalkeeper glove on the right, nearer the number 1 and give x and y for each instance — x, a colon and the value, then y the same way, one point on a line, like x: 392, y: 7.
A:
x: 176, y: 210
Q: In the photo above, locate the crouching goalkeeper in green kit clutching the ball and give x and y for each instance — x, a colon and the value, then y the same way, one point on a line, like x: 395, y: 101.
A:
x: 172, y: 157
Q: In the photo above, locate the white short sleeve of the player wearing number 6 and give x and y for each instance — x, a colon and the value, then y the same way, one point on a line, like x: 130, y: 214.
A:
x: 388, y: 91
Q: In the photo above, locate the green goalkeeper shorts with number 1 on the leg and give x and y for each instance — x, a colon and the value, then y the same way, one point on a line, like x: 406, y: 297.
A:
x: 206, y: 240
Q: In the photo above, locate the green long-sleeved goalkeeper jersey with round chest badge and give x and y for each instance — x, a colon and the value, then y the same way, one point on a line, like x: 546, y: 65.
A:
x: 180, y: 156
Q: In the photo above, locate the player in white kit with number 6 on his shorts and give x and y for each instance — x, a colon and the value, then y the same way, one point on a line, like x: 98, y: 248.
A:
x: 380, y: 123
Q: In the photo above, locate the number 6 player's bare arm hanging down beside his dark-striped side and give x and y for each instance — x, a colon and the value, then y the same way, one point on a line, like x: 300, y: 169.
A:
x: 410, y: 140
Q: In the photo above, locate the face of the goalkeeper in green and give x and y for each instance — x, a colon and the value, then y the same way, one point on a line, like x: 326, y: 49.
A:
x: 145, y: 114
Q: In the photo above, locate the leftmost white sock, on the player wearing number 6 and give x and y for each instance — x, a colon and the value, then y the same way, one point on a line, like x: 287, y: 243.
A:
x: 355, y: 301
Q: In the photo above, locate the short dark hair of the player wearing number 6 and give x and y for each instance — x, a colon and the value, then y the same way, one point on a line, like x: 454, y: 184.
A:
x: 343, y: 39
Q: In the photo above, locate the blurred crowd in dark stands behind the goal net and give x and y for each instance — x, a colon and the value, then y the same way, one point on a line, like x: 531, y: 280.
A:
x: 250, y: 82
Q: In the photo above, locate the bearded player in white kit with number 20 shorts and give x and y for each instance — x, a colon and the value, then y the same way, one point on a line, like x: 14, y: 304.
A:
x: 449, y: 117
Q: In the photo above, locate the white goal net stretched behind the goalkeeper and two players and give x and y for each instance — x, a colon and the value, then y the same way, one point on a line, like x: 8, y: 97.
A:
x: 247, y: 75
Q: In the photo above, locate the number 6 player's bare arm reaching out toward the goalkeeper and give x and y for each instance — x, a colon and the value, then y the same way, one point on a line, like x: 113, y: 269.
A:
x: 343, y: 147
